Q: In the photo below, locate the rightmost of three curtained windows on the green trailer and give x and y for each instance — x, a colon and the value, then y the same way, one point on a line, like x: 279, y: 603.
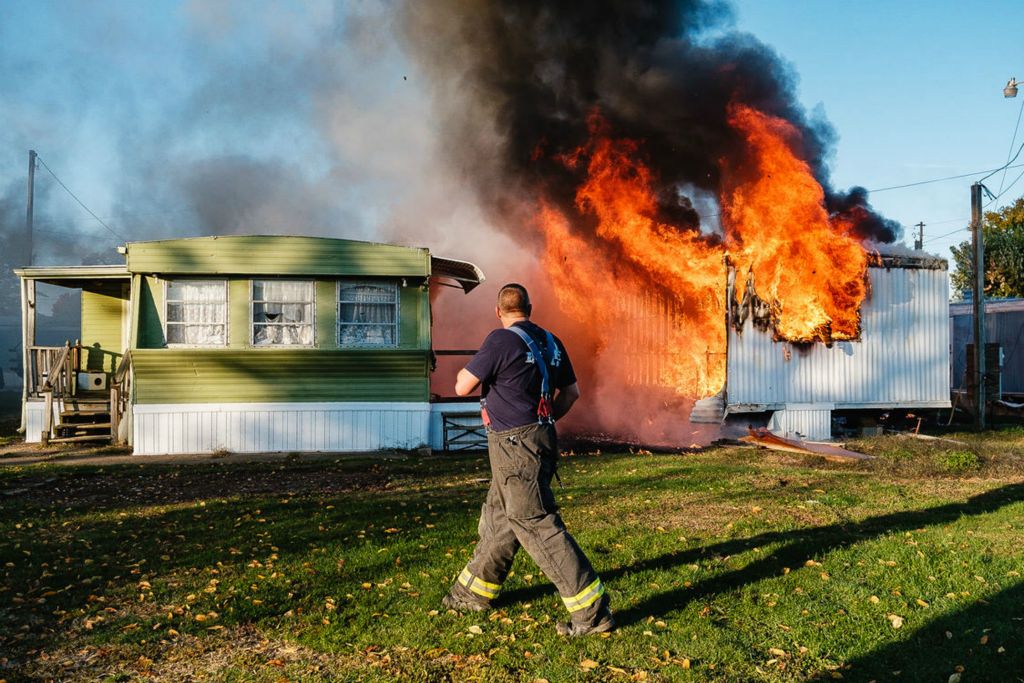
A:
x: 368, y: 314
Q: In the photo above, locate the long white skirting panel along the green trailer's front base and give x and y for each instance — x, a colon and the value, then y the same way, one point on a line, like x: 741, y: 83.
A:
x: 179, y: 429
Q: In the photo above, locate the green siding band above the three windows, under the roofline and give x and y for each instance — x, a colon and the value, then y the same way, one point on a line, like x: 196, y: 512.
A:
x: 267, y: 255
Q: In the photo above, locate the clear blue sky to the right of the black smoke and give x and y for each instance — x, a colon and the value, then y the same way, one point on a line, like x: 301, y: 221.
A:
x: 915, y: 91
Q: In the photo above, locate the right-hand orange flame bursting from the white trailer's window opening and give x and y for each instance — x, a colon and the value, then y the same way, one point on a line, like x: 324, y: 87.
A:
x: 806, y: 267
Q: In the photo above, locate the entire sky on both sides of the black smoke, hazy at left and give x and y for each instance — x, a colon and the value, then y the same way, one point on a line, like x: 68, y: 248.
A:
x: 138, y: 105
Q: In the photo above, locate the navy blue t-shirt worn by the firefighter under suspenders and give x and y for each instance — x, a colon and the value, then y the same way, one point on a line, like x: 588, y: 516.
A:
x: 510, y: 386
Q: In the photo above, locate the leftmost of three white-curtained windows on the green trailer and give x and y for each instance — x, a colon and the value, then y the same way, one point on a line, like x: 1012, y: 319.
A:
x: 196, y: 313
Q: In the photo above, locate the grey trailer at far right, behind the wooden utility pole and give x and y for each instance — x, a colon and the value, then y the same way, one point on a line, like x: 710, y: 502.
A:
x: 1004, y: 326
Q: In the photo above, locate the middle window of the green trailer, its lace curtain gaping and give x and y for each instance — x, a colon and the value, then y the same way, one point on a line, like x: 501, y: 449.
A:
x: 283, y: 313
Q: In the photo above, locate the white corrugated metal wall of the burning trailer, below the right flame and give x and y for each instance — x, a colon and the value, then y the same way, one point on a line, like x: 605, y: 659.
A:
x: 903, y: 359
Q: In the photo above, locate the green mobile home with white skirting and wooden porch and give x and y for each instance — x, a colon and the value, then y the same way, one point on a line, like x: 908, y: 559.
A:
x: 247, y: 344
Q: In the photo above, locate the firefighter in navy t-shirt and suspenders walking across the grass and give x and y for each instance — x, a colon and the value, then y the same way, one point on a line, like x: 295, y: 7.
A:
x: 528, y: 385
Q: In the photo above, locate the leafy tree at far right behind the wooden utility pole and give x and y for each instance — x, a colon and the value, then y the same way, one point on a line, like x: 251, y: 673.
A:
x: 1004, y: 231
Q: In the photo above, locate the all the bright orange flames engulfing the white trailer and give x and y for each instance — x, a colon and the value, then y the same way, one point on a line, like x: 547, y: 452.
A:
x: 655, y: 293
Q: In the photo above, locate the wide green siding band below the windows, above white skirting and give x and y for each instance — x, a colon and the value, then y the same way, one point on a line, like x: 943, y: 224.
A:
x: 200, y: 376
